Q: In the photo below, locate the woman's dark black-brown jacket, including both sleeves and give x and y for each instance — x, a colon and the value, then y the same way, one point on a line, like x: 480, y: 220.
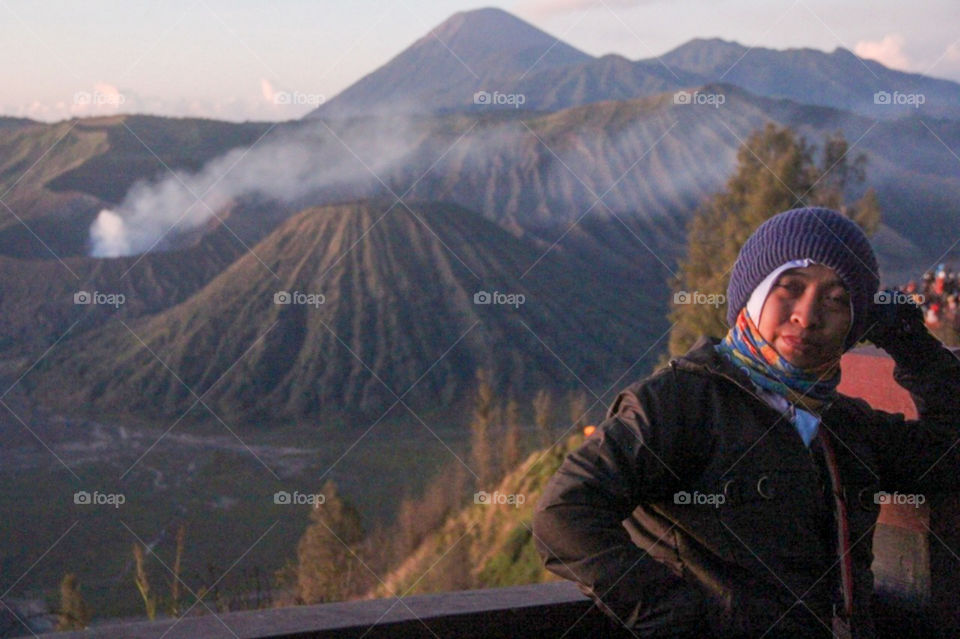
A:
x: 696, y: 510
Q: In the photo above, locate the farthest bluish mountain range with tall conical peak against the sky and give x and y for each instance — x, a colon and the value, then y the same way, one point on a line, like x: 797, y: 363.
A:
x: 429, y: 77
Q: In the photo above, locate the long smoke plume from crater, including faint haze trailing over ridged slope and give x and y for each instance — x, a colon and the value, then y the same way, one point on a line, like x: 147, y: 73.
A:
x: 474, y: 165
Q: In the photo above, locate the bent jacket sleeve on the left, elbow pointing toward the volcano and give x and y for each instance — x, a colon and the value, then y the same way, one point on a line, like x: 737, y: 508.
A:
x: 635, y: 454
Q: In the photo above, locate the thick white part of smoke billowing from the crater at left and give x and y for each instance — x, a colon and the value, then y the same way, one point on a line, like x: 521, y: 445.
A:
x: 285, y: 166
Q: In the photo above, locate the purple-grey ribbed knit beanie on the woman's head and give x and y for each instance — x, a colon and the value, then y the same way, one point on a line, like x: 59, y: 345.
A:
x: 824, y: 236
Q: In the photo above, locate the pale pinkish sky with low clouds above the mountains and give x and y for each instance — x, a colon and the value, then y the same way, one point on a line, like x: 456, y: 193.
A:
x: 257, y: 60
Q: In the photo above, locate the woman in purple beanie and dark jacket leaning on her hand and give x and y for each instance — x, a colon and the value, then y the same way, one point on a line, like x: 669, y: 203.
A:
x: 734, y: 493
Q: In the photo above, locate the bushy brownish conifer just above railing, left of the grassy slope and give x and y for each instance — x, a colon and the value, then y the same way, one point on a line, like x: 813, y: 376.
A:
x: 328, y: 563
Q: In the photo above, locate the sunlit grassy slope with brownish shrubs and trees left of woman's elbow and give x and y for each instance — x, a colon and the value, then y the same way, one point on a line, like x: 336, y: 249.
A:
x: 469, y: 528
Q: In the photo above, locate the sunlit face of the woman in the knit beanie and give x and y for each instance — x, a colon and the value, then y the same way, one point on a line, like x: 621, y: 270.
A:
x: 806, y: 315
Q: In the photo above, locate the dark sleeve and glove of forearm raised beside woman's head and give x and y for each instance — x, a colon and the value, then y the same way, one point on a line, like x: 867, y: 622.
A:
x: 922, y: 454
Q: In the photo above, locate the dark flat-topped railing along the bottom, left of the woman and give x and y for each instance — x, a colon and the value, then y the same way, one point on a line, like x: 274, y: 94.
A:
x: 543, y: 611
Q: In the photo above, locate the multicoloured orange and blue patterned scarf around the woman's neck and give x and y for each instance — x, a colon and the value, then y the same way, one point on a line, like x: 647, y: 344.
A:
x: 809, y: 388
